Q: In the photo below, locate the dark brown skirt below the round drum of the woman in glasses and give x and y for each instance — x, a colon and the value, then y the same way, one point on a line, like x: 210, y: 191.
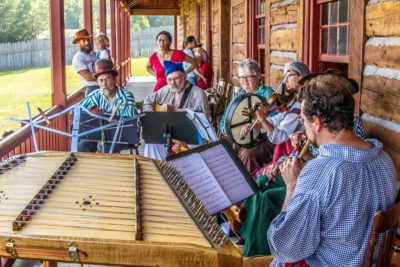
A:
x: 256, y: 157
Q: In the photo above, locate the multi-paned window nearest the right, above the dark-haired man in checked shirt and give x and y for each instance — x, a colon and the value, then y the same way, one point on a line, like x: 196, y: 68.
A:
x: 334, y: 31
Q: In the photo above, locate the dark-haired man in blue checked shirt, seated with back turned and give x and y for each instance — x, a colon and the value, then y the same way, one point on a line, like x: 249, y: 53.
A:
x: 327, y: 215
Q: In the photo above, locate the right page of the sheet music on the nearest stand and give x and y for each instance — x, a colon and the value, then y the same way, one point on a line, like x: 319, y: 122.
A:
x: 228, y: 174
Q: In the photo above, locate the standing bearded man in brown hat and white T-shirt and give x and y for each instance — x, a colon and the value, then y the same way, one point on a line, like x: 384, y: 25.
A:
x: 83, y: 61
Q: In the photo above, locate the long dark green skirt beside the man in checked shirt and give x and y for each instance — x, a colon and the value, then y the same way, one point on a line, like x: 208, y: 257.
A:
x: 261, y: 209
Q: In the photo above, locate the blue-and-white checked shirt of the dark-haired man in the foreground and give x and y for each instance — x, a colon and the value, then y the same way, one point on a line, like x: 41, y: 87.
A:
x: 328, y: 219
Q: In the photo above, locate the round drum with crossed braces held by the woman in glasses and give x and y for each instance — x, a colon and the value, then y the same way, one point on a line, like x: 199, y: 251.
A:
x: 235, y: 121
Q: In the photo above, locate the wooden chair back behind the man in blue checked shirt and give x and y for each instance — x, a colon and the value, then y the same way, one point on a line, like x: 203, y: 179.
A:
x: 385, y: 223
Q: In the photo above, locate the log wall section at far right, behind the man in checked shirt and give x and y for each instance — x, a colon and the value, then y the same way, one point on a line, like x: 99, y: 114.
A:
x: 380, y: 95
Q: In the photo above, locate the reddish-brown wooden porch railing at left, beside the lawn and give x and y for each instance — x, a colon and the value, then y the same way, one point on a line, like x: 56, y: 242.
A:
x: 21, y: 141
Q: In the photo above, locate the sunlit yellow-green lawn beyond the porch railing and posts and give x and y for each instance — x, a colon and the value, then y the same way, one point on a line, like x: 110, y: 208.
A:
x: 33, y: 85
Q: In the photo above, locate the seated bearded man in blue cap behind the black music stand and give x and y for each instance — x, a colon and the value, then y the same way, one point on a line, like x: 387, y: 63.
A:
x: 177, y: 94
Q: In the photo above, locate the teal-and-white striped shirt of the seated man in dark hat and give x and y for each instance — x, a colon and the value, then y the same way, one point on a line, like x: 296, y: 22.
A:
x: 99, y: 100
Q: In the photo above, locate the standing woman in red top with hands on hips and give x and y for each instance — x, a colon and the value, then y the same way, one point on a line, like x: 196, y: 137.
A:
x: 155, y: 63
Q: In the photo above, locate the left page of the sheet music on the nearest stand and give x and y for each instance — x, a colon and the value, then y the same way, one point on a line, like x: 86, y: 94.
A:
x: 203, y: 183
